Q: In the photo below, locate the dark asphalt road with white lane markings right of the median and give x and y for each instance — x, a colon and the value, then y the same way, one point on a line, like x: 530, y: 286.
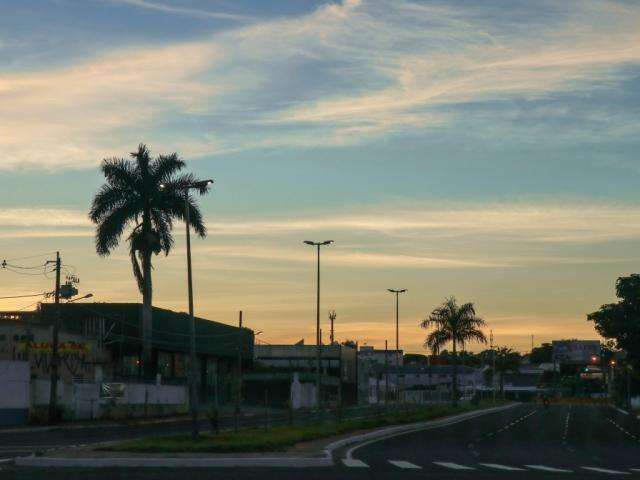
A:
x: 527, y: 441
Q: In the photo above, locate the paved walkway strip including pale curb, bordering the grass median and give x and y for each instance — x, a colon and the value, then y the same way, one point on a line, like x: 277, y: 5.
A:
x: 317, y: 453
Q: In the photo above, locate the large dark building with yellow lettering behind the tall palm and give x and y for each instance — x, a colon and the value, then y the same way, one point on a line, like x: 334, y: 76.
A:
x: 100, y: 344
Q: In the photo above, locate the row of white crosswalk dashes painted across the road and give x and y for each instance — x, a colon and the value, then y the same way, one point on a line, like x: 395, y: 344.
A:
x: 406, y: 465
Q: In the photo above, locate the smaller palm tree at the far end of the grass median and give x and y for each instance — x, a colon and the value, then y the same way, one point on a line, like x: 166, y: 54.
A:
x: 453, y: 323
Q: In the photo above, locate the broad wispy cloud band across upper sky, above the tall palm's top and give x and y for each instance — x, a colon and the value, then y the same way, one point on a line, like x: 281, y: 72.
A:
x: 362, y: 70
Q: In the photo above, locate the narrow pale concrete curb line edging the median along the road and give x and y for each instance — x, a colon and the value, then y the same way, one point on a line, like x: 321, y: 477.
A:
x: 326, y: 460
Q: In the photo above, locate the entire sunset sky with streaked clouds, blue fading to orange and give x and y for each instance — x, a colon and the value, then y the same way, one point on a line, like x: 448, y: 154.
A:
x: 486, y: 150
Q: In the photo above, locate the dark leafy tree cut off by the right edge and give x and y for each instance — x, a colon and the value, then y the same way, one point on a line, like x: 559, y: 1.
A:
x: 621, y: 321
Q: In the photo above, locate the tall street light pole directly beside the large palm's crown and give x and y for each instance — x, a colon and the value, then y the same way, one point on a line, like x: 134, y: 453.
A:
x: 193, y: 371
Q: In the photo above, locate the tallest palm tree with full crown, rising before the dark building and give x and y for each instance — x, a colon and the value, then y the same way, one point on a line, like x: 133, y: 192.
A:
x: 143, y: 196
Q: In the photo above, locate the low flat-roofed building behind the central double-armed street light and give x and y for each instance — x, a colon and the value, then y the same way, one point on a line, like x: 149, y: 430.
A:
x: 284, y: 365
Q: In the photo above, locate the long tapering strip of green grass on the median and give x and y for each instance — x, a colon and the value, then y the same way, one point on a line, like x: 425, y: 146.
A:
x: 278, y: 438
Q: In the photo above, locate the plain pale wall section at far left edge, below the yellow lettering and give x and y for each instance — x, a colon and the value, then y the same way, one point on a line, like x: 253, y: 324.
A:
x: 14, y: 401
